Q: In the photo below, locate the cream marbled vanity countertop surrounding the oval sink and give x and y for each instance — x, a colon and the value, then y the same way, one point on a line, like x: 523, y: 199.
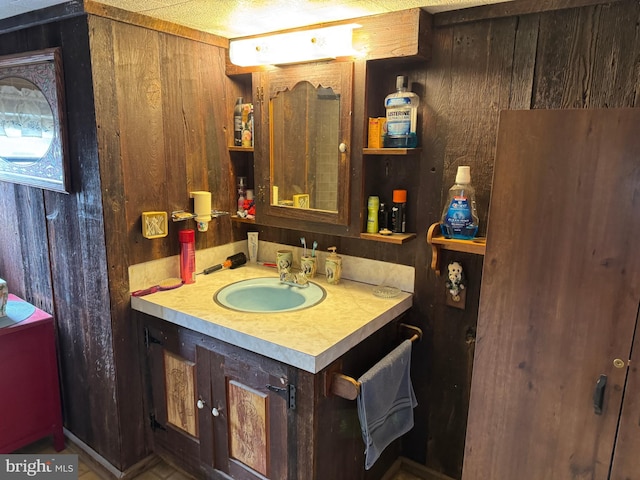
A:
x: 309, y: 339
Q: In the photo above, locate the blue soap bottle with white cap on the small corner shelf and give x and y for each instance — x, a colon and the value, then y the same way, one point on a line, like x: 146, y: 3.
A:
x: 459, y: 216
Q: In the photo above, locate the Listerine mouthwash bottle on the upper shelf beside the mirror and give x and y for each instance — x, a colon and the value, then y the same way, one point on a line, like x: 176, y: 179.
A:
x: 402, y: 116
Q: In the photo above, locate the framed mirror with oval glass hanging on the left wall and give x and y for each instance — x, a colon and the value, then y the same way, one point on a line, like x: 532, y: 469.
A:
x: 33, y: 148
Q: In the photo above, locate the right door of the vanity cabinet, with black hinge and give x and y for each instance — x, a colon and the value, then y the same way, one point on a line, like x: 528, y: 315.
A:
x: 249, y: 420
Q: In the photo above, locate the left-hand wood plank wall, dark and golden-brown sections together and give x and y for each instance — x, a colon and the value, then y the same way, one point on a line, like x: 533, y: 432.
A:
x: 158, y: 131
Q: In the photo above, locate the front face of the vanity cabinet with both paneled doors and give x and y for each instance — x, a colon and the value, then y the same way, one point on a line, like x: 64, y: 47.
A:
x: 216, y: 408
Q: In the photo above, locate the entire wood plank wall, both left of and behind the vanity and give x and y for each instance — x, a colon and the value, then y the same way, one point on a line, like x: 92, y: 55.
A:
x: 160, y: 130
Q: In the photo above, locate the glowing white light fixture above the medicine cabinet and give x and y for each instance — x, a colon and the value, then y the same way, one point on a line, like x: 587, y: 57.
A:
x: 294, y: 47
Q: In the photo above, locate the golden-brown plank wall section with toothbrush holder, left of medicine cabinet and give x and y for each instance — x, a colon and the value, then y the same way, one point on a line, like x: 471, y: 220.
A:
x: 161, y: 106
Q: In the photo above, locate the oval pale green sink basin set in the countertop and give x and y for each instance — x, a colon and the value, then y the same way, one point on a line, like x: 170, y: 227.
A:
x: 265, y: 295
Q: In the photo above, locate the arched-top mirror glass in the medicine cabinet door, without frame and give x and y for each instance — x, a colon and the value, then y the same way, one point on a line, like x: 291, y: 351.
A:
x: 304, y: 141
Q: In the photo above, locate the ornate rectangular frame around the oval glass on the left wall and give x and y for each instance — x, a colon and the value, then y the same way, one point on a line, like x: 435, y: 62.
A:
x: 43, y: 68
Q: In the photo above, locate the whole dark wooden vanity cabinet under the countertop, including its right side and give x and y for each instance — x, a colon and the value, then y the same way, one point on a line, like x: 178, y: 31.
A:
x: 219, y: 411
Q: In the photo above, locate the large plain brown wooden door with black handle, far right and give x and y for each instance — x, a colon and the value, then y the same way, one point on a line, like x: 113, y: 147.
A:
x: 559, y: 299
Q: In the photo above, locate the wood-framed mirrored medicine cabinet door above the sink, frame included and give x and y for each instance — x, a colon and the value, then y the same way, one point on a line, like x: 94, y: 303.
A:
x: 309, y: 134
